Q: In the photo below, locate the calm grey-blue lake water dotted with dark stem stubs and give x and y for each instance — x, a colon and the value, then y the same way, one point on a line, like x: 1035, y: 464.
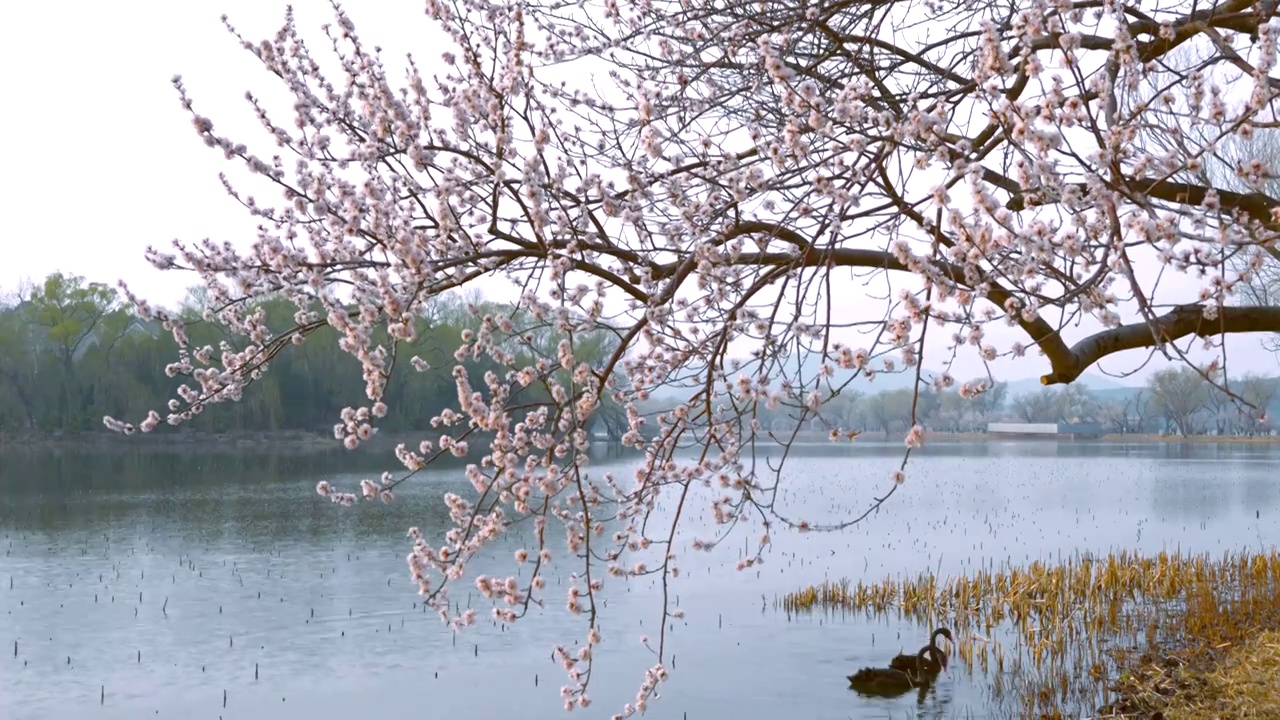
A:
x: 149, y: 586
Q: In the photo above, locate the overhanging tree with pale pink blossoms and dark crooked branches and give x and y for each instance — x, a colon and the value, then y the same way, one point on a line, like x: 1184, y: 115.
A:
x: 710, y: 183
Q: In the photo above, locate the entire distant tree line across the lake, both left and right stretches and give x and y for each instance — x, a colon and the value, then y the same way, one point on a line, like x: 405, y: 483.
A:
x: 72, y: 353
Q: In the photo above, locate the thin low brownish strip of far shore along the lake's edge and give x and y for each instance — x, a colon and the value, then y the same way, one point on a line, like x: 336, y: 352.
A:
x: 305, y: 441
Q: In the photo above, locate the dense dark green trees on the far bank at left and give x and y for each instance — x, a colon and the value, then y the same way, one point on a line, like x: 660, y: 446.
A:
x: 71, y: 352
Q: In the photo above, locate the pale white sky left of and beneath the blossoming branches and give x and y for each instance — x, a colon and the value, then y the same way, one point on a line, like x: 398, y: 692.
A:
x: 102, y: 161
